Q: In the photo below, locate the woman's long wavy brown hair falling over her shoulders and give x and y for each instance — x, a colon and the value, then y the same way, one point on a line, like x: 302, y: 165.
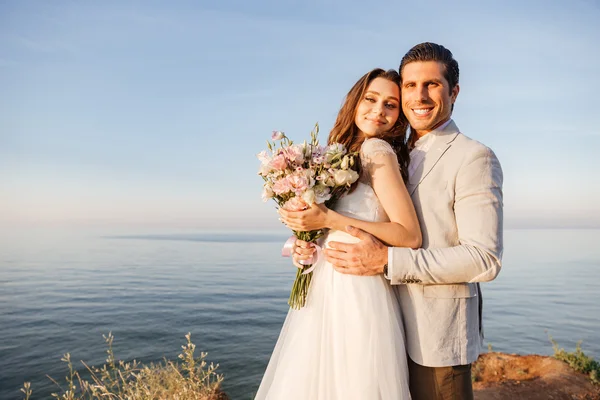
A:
x: 347, y: 133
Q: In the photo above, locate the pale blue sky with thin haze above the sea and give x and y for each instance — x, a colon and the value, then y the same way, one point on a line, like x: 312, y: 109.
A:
x: 149, y: 114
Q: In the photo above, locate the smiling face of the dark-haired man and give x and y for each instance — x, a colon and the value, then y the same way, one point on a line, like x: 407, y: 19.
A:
x: 426, y: 96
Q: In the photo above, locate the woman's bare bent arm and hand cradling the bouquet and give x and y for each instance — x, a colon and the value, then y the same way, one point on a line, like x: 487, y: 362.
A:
x: 402, y: 230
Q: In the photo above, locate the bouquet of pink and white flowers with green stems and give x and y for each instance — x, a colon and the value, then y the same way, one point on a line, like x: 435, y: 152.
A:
x: 299, y: 175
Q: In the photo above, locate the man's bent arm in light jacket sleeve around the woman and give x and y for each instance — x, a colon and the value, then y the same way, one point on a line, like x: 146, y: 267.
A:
x: 478, y: 212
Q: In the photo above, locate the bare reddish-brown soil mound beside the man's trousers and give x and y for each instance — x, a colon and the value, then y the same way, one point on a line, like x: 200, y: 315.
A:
x: 499, y: 376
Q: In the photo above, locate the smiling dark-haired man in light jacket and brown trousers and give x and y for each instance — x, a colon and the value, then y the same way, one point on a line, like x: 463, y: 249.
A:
x: 456, y: 187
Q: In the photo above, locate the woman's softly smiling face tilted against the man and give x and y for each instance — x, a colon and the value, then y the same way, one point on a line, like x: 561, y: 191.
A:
x: 379, y: 108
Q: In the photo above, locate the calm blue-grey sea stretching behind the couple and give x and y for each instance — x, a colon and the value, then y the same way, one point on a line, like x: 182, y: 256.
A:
x: 62, y: 290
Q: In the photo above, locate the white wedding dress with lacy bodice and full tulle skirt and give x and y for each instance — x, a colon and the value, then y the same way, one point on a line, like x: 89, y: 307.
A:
x: 348, y: 341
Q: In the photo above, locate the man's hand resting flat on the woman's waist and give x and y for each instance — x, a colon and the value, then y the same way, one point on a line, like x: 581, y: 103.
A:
x: 366, y: 257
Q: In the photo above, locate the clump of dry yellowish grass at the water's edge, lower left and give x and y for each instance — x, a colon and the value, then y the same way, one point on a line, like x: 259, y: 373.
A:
x: 190, y: 379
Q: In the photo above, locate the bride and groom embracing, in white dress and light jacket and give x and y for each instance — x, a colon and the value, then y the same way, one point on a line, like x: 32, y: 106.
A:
x: 394, y: 310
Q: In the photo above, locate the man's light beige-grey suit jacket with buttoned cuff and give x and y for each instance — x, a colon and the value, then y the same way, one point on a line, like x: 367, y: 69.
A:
x: 457, y: 193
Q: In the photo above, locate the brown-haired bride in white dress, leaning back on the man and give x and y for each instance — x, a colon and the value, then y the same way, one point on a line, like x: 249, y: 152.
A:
x: 348, y: 341
